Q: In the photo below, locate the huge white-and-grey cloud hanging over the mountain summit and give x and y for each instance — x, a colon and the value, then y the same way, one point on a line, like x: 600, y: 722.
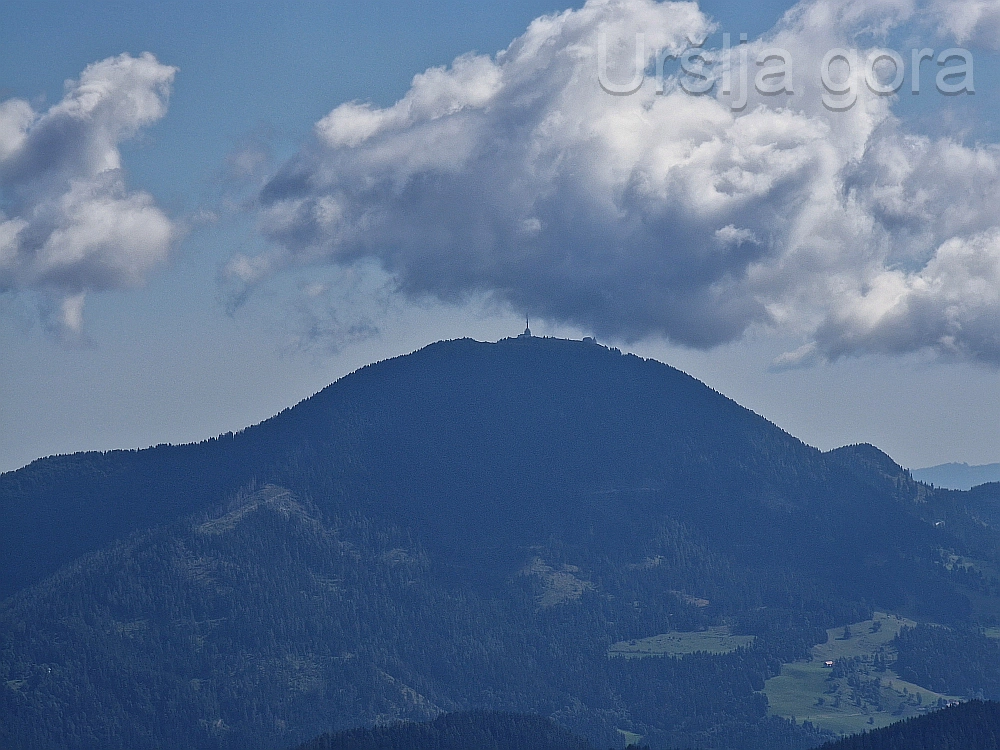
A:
x: 665, y: 214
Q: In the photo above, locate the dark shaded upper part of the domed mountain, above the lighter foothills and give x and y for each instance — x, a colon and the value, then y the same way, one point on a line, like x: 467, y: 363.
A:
x: 484, y: 447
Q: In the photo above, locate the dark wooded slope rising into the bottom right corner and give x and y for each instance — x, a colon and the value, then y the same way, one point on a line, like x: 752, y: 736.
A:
x: 969, y: 726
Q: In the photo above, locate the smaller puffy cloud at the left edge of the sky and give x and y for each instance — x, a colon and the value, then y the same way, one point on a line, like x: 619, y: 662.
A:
x: 68, y: 223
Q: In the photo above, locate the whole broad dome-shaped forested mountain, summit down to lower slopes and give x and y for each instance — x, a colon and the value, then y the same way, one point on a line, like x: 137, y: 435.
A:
x: 472, y: 526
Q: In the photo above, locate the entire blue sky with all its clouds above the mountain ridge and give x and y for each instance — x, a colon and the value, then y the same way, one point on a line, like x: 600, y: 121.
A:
x: 209, y: 212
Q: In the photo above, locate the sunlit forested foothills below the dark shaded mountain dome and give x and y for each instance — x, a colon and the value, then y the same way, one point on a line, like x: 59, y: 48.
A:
x: 265, y: 622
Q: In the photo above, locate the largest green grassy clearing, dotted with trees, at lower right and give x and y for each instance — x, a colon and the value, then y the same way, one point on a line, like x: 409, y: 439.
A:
x: 864, y: 699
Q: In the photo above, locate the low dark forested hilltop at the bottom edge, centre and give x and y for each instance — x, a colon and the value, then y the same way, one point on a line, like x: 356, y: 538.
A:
x: 473, y: 730
